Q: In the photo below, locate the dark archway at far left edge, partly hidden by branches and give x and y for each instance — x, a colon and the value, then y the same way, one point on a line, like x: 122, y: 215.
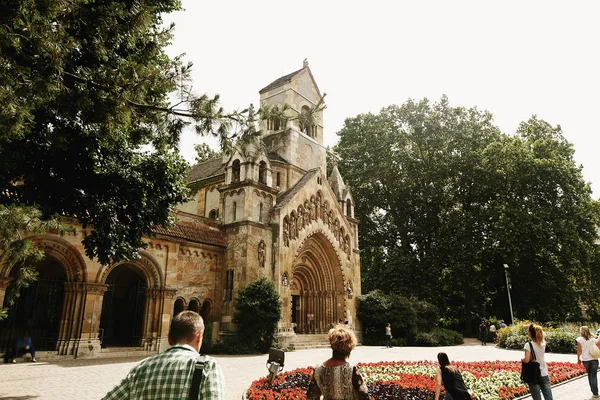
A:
x: 38, y: 309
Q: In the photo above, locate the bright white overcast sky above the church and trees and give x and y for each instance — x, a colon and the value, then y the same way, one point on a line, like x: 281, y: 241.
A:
x: 512, y: 58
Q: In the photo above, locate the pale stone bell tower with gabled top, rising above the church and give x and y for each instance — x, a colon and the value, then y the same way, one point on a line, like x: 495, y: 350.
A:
x: 299, y: 144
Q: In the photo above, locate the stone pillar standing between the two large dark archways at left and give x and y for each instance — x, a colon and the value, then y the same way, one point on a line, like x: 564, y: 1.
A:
x: 88, y: 343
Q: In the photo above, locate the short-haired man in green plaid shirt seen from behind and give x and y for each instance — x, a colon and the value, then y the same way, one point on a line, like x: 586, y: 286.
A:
x: 168, y: 375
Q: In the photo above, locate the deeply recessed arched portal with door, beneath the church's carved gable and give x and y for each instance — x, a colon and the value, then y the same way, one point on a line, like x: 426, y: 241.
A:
x: 317, y: 287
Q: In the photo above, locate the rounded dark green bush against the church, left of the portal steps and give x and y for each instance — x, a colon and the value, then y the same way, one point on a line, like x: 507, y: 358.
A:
x: 257, y: 311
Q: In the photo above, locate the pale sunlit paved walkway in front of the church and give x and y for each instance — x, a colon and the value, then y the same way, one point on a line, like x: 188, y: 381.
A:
x: 91, y: 379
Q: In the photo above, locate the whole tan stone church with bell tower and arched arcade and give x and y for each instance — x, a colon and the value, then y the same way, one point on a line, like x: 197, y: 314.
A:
x: 267, y: 210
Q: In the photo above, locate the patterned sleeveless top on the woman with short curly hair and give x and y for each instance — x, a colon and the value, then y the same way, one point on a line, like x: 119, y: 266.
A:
x: 337, y: 383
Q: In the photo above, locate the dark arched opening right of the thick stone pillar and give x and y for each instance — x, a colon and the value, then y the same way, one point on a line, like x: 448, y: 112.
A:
x: 121, y: 323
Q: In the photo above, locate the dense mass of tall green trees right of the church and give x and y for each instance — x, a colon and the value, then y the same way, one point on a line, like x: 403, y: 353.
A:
x: 445, y: 199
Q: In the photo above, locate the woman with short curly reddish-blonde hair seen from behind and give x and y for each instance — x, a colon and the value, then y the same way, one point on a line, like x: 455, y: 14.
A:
x: 336, y: 378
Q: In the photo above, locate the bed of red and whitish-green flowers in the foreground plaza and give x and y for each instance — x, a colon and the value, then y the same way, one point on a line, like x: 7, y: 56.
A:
x: 487, y: 380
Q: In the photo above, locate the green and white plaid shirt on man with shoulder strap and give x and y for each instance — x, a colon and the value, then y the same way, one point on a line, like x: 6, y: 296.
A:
x: 168, y: 375
